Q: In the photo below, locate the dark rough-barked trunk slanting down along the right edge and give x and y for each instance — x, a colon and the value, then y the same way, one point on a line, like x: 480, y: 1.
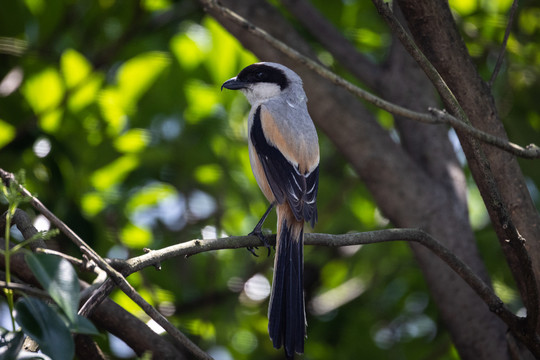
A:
x: 435, y: 32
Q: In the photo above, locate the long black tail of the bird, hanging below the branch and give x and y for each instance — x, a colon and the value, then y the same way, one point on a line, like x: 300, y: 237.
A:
x: 286, y: 313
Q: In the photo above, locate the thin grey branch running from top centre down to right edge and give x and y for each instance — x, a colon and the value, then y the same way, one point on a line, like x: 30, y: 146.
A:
x: 531, y: 152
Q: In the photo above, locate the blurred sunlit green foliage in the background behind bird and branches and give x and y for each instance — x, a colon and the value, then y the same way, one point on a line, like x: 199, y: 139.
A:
x: 115, y: 112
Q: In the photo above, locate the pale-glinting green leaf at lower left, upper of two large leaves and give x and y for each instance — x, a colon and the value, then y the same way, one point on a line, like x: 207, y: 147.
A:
x: 59, y: 279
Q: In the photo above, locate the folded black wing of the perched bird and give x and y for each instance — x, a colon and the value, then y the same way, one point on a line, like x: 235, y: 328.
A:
x: 285, y: 180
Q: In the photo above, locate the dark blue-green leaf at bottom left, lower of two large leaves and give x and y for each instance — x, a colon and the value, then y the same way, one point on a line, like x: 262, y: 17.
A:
x: 46, y: 327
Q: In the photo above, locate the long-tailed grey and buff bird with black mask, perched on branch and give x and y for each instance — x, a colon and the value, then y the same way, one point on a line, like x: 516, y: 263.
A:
x: 284, y: 155
